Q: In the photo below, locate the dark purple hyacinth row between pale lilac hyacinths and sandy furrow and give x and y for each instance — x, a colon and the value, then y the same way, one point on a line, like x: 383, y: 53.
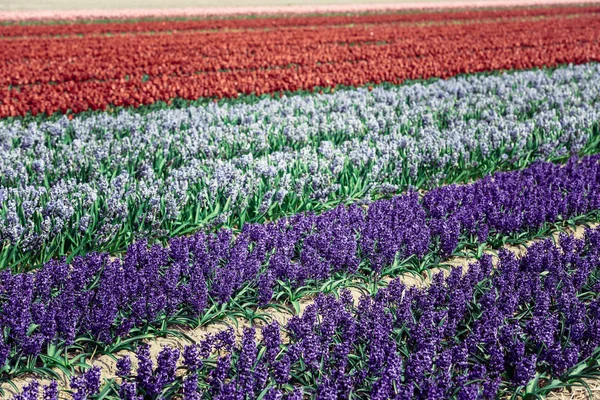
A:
x: 105, y: 298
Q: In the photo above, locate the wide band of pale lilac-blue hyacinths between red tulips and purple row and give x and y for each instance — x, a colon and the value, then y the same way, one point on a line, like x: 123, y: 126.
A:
x: 100, y: 182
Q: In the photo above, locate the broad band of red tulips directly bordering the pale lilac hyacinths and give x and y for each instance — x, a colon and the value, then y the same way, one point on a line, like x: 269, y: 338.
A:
x: 78, y: 74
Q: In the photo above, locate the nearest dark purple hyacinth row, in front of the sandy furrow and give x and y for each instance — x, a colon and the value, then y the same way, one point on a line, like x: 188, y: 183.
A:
x: 468, y: 336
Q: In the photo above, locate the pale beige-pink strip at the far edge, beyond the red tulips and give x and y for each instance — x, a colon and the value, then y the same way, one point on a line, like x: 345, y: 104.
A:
x: 19, y: 10
